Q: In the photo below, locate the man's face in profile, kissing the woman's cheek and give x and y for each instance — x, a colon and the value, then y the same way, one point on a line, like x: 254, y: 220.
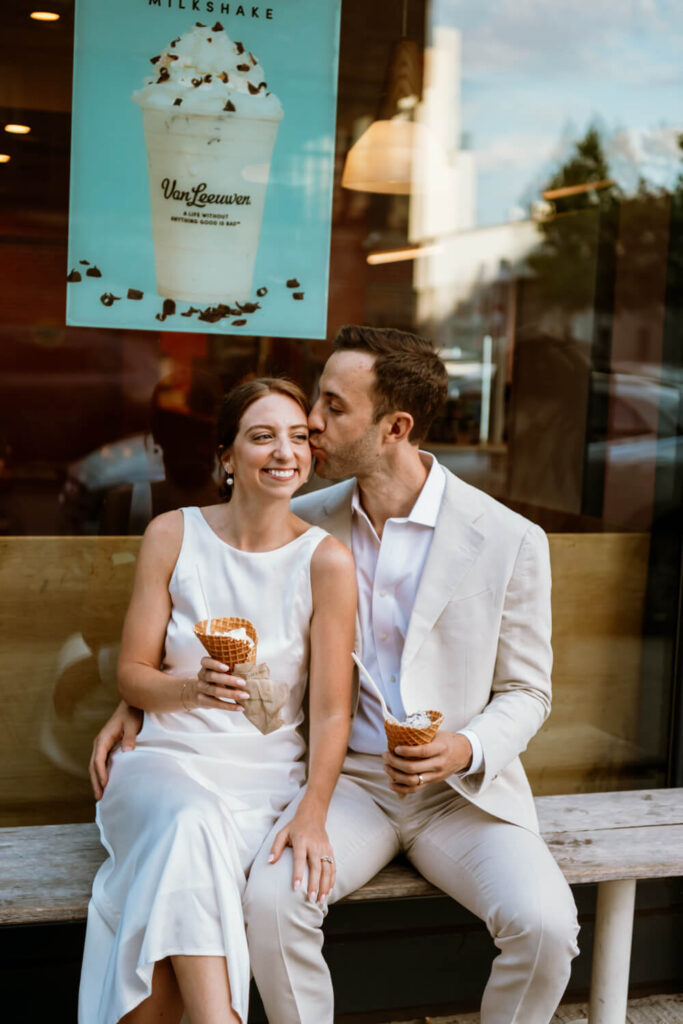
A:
x: 345, y: 439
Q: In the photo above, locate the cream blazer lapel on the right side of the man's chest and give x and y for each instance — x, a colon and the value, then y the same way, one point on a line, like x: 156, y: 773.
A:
x: 455, y: 547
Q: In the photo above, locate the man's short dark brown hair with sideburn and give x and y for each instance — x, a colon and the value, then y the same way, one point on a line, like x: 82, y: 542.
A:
x: 410, y: 377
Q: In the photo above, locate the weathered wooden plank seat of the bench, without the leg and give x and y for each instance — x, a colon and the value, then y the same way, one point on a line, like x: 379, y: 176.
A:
x: 47, y: 871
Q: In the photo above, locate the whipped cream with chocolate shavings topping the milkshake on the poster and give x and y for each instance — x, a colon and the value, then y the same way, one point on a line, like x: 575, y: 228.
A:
x: 205, y: 72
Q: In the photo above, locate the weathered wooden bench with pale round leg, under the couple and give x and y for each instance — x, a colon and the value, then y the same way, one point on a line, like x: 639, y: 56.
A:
x: 612, y: 839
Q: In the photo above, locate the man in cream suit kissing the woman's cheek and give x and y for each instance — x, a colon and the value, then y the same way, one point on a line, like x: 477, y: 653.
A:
x: 454, y: 615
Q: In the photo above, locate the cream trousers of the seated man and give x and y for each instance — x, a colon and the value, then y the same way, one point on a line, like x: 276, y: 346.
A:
x: 502, y: 873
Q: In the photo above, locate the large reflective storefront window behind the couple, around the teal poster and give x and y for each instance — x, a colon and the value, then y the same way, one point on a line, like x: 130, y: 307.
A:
x: 535, y: 232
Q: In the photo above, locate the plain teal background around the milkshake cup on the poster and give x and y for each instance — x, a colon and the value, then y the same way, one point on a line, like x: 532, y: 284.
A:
x: 297, y: 44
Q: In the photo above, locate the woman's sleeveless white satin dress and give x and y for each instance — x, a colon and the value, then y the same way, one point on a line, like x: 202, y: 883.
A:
x: 186, y: 813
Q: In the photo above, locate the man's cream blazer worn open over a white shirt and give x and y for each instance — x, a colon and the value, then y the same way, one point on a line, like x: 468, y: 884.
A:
x: 478, y: 646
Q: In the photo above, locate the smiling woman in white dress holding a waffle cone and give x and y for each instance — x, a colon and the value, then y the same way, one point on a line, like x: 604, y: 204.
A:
x: 185, y: 814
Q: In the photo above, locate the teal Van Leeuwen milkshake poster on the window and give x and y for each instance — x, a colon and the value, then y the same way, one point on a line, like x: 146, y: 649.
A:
x: 202, y: 165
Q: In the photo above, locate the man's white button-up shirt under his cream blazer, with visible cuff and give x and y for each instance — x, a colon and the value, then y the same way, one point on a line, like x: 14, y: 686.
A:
x: 389, y: 573
